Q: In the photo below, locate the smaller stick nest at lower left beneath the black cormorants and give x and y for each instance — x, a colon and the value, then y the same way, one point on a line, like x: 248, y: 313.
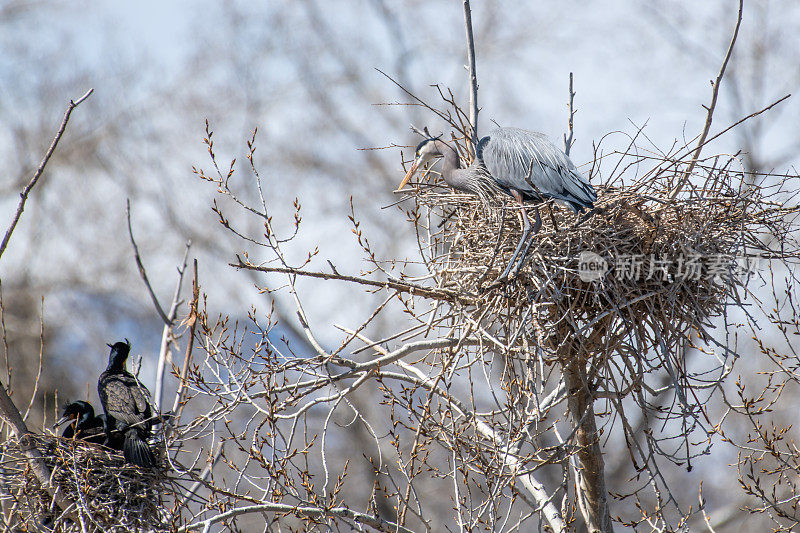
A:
x: 108, y: 494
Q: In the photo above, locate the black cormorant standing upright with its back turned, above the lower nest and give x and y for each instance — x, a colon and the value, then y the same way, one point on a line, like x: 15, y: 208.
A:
x: 128, y: 402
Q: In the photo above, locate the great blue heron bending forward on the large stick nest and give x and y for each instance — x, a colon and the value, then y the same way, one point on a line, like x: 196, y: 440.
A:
x: 521, y: 163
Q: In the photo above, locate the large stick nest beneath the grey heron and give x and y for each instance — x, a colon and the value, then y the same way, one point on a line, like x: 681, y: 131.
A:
x: 642, y: 271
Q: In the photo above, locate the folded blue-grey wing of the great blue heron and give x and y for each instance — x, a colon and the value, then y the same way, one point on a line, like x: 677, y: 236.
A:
x: 513, y: 156
